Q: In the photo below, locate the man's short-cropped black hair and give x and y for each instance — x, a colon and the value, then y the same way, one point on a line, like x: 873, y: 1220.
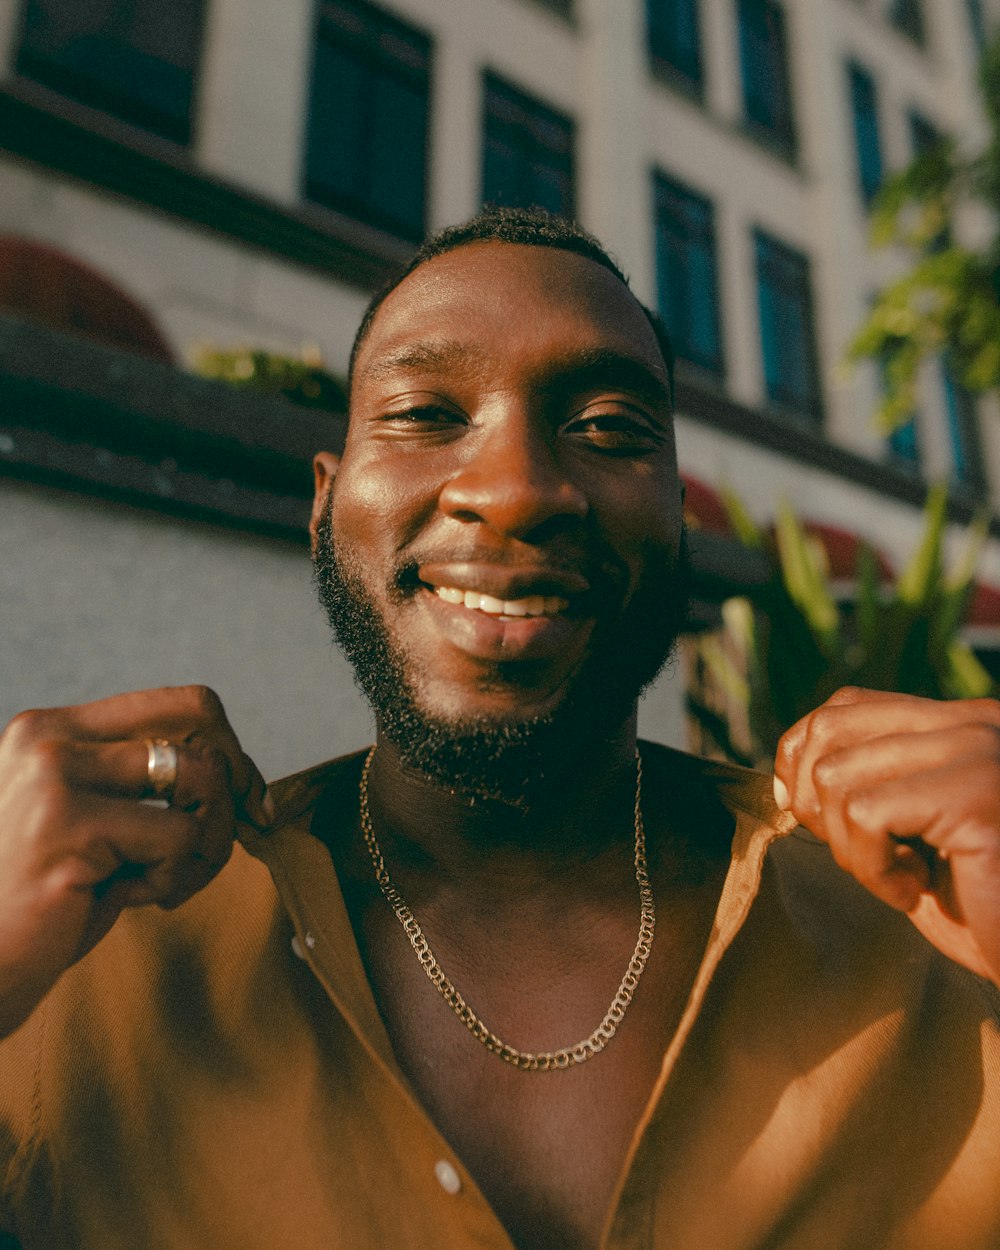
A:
x: 531, y: 227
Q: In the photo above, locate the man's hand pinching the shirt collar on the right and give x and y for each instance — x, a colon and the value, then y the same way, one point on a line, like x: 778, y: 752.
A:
x: 907, y: 794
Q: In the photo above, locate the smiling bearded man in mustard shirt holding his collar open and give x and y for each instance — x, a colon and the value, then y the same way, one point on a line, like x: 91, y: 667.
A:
x: 502, y: 979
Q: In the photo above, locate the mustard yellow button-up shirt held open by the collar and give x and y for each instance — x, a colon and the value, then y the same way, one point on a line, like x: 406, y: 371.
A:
x: 219, y: 1078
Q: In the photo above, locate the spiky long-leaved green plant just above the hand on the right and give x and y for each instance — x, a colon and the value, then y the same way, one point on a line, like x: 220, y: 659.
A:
x: 789, y: 649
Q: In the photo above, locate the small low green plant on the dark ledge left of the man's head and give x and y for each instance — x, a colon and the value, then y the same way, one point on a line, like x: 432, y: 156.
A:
x: 304, y: 381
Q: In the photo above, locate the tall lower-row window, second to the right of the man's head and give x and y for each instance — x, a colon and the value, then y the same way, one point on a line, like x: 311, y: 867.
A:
x: 787, y: 328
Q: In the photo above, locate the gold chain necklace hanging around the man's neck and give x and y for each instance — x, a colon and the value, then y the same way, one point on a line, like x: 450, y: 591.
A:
x: 546, y: 1061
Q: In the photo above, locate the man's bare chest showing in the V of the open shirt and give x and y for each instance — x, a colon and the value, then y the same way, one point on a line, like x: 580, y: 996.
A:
x: 547, y: 1148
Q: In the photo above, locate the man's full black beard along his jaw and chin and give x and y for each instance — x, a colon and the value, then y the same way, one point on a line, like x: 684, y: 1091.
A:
x: 516, y: 762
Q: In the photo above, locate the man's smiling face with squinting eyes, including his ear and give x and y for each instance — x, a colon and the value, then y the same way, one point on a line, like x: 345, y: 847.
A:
x: 507, y: 513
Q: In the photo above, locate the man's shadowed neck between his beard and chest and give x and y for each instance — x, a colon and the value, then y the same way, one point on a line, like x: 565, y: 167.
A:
x: 572, y: 812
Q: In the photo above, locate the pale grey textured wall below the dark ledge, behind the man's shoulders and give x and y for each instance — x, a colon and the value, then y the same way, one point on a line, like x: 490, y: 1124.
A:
x: 98, y: 598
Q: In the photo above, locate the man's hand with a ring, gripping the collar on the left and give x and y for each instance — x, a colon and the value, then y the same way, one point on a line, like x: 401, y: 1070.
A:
x: 77, y: 843
